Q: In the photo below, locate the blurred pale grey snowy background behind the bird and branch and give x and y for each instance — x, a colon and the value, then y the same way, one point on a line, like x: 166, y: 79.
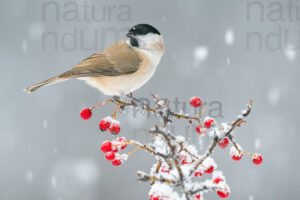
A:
x: 226, y: 52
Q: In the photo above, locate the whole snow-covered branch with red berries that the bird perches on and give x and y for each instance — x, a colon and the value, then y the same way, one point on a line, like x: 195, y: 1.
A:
x: 178, y: 161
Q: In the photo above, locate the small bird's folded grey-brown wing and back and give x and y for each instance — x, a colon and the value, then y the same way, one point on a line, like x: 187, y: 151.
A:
x: 116, y: 60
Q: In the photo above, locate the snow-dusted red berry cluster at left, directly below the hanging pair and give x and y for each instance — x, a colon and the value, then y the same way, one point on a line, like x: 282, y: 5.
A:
x: 111, y: 150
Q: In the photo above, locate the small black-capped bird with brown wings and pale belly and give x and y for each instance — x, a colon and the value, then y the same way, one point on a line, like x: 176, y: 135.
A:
x: 120, y: 69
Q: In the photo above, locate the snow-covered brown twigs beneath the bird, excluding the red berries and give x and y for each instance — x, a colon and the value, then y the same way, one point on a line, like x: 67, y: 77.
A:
x: 176, y: 146
